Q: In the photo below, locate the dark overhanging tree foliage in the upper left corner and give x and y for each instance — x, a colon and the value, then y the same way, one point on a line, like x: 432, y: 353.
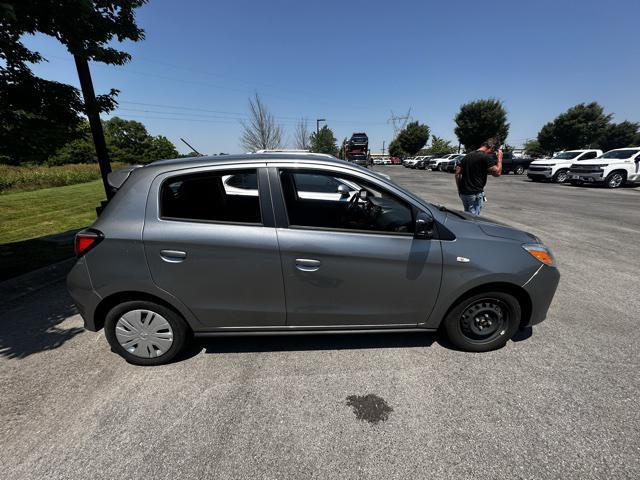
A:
x: 39, y: 116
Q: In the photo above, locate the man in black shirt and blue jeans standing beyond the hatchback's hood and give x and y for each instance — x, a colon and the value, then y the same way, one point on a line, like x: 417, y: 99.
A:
x: 472, y: 171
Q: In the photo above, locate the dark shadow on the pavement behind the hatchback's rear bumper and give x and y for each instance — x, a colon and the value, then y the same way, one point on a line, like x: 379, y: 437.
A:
x: 33, y: 327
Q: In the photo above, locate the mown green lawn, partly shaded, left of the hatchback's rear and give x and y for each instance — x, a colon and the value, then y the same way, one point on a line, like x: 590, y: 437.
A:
x: 27, y: 216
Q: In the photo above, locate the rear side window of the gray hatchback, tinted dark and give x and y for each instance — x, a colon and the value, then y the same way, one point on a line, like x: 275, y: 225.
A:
x: 220, y: 196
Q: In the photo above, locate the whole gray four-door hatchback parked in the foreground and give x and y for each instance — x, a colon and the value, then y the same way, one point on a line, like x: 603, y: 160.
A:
x: 275, y: 243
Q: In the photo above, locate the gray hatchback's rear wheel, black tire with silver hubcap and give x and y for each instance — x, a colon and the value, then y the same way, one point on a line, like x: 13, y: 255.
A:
x: 130, y: 325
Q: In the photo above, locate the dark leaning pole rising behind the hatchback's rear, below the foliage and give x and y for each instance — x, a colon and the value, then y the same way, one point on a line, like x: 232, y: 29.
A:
x: 91, y: 109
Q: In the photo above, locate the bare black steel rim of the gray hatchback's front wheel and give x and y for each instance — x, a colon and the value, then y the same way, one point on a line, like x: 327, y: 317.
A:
x: 484, y: 320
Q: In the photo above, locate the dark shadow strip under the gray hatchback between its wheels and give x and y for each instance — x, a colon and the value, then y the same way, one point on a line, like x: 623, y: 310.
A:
x: 287, y: 343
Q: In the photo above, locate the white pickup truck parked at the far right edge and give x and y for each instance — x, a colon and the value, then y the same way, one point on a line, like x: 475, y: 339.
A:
x: 614, y: 168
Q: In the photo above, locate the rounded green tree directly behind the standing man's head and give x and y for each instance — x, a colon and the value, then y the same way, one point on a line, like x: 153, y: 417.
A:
x: 480, y: 120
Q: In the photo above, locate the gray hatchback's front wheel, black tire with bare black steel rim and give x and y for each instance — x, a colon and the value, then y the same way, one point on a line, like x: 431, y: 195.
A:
x: 483, y: 322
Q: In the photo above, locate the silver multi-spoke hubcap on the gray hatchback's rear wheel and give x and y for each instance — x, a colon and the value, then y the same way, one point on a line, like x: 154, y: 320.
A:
x: 144, y: 333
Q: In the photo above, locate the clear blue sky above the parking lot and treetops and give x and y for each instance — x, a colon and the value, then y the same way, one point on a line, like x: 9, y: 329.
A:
x: 355, y: 62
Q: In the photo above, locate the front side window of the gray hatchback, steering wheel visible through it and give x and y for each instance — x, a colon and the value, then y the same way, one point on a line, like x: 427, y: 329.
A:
x: 321, y: 199
